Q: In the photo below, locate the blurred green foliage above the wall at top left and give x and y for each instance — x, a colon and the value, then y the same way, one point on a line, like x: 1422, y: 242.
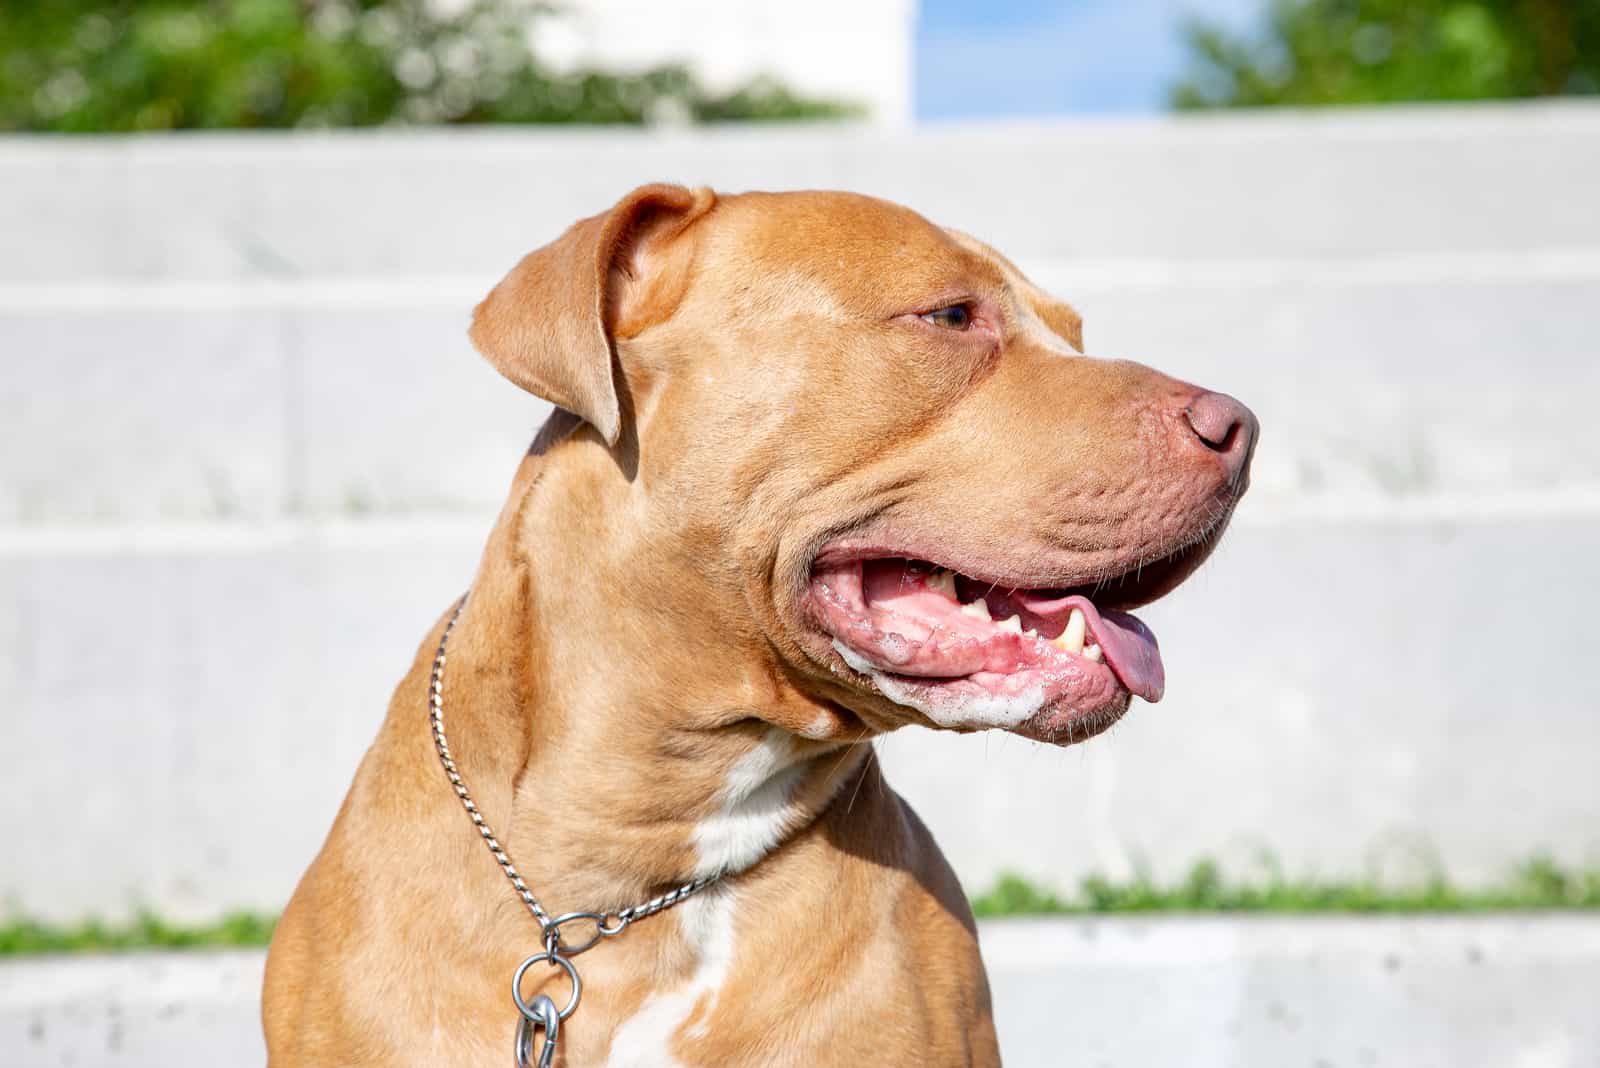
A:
x: 84, y: 66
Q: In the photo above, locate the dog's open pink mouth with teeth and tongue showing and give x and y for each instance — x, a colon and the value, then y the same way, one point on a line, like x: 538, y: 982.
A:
x: 974, y: 655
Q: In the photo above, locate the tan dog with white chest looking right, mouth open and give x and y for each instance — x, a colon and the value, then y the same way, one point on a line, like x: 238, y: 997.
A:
x: 833, y: 471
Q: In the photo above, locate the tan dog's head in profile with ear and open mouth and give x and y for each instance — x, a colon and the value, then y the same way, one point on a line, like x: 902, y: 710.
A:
x: 898, y: 482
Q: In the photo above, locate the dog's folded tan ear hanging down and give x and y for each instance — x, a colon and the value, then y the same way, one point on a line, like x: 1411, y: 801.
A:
x: 550, y: 325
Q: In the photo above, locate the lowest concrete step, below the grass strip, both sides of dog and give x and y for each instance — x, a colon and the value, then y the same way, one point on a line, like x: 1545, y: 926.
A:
x: 1204, y: 992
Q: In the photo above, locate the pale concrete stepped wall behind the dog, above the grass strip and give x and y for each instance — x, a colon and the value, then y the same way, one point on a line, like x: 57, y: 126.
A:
x: 249, y: 456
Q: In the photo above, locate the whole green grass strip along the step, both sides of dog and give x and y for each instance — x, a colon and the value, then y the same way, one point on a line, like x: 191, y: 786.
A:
x: 1537, y: 885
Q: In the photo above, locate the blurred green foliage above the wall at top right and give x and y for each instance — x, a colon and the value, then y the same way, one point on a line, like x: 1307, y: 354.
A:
x: 1372, y: 52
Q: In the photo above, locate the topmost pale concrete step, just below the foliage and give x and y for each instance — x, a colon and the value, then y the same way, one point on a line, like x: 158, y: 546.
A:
x: 1329, y: 185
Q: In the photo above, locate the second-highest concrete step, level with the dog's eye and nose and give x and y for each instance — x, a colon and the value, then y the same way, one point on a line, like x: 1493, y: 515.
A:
x: 198, y: 402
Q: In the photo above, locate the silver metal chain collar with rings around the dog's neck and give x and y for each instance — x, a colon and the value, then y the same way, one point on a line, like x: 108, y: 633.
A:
x: 542, y: 1013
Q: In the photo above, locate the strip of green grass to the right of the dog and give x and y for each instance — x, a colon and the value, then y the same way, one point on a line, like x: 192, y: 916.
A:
x: 1535, y: 885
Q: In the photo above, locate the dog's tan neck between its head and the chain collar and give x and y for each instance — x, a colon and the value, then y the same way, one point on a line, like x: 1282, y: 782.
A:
x: 618, y: 767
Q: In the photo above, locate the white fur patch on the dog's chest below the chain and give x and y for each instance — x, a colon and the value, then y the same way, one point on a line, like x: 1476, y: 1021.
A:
x: 646, y: 1038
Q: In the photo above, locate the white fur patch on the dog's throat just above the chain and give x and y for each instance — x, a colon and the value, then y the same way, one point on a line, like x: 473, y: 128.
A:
x: 756, y: 808
